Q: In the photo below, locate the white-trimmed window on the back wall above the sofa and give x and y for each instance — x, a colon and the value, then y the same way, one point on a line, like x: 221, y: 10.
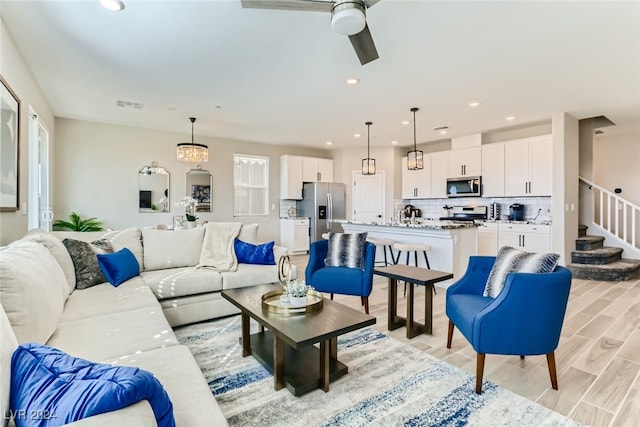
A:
x: 250, y: 185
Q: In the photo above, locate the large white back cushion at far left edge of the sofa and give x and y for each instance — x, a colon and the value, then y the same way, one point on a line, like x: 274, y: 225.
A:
x: 33, y: 289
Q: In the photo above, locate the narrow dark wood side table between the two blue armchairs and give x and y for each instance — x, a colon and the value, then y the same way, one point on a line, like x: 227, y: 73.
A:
x: 411, y: 275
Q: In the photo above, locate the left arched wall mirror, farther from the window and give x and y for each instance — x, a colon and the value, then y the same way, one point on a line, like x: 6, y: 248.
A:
x: 153, y: 186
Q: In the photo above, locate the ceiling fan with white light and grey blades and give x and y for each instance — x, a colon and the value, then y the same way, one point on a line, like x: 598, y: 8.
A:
x: 348, y: 17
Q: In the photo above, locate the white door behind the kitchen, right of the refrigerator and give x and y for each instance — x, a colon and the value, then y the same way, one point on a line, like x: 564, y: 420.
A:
x: 368, y: 197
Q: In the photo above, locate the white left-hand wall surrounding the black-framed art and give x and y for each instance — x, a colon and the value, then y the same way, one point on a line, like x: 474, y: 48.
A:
x: 16, y: 73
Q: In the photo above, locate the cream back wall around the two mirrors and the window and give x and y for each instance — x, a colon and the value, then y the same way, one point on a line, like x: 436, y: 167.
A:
x: 97, y: 174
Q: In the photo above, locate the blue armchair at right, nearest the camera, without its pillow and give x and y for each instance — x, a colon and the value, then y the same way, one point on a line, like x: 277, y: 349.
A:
x: 524, y: 319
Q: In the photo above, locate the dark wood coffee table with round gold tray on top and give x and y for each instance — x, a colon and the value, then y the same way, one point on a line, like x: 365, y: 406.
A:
x: 286, y: 348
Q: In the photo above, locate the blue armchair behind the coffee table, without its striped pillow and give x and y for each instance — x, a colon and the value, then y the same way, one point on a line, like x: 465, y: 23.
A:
x: 340, y: 280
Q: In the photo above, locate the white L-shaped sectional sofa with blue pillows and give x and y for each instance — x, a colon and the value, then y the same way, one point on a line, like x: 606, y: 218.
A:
x: 130, y: 324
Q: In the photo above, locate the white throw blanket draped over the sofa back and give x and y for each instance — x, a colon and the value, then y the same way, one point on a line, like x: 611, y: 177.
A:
x: 217, y: 247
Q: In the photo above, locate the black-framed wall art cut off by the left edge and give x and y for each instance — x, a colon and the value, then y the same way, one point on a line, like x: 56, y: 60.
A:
x: 9, y: 148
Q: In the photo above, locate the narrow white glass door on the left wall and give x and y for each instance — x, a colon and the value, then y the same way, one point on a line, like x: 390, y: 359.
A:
x: 40, y: 212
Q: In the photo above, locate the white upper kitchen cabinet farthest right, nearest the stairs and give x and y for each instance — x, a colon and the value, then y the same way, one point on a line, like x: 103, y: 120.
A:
x: 529, y: 166
